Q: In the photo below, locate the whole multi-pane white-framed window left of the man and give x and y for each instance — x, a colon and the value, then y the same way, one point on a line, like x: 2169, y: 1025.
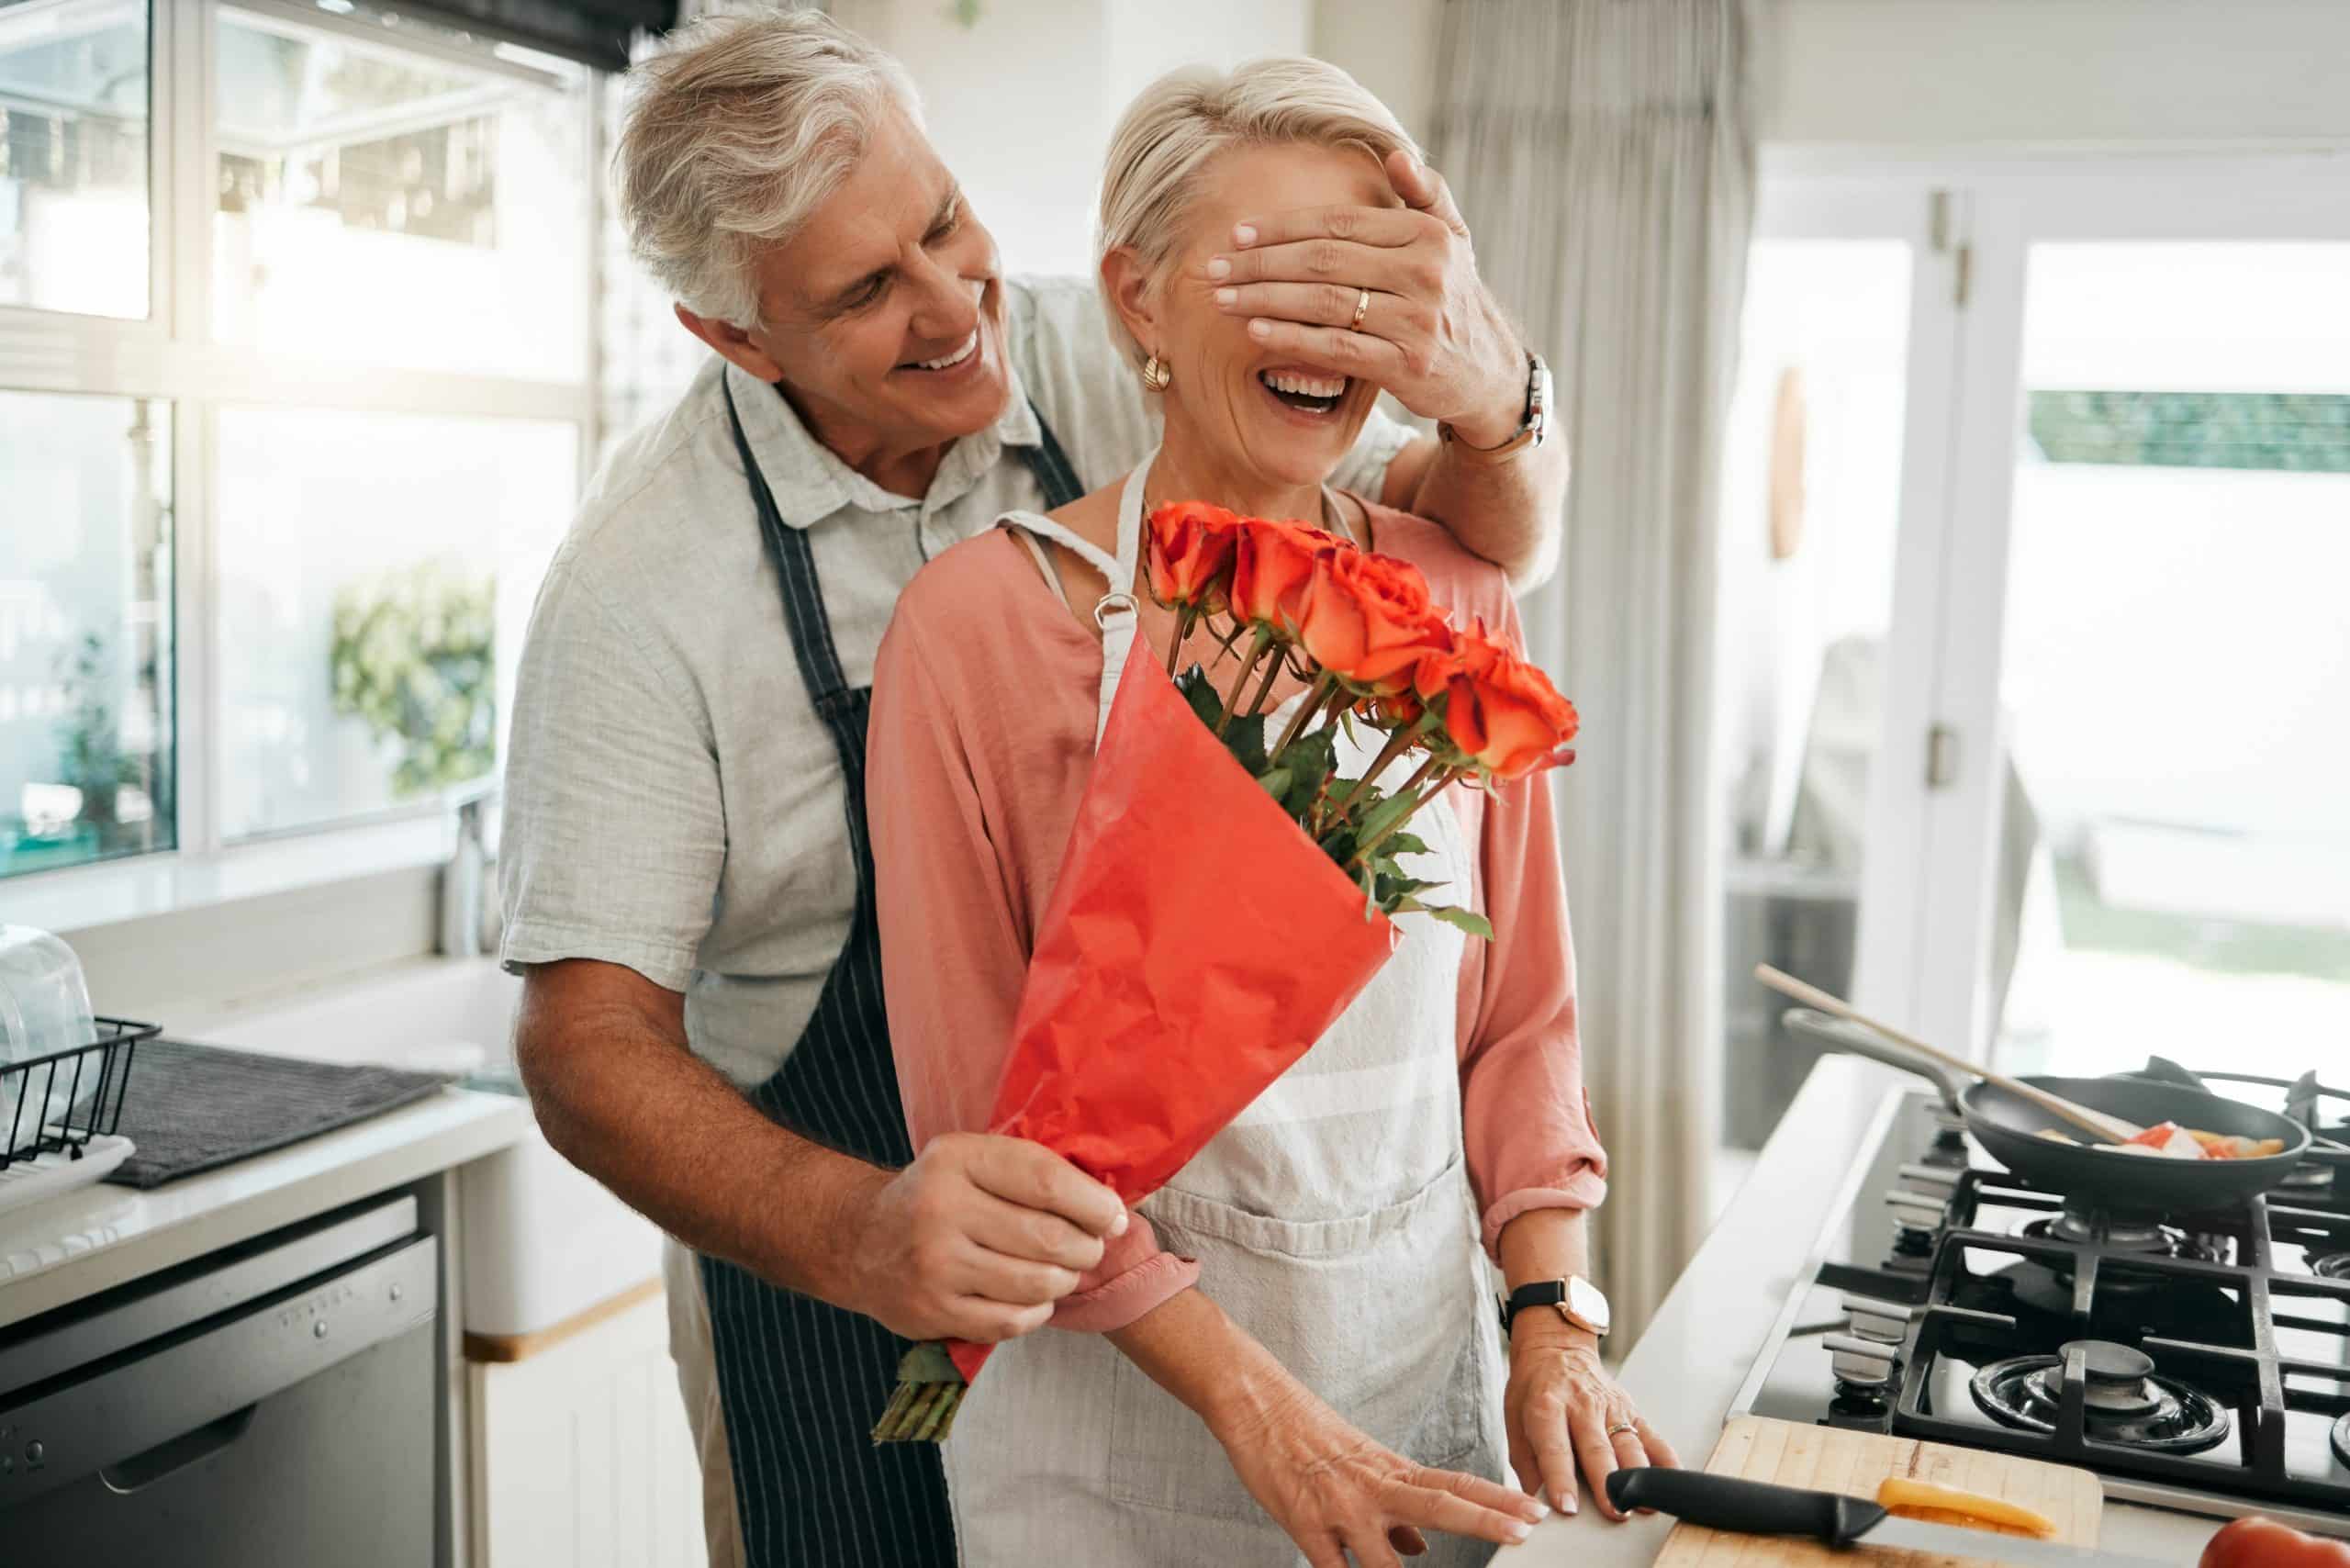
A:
x: 271, y: 530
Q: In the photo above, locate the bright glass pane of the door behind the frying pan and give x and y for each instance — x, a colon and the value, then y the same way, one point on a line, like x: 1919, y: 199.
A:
x: 2177, y: 657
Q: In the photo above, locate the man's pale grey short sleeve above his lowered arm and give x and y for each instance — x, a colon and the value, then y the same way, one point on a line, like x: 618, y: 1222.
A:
x: 615, y: 831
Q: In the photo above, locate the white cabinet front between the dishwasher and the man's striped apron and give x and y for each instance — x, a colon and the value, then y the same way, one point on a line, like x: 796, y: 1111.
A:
x: 582, y: 1454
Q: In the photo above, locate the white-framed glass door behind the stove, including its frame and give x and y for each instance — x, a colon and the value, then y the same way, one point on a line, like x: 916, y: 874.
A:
x: 2147, y: 605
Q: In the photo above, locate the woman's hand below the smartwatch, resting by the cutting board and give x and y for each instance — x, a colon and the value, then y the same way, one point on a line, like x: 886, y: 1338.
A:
x: 1564, y: 1409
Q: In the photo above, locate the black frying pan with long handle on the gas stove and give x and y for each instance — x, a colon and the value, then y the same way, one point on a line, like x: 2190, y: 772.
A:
x: 2010, y: 1130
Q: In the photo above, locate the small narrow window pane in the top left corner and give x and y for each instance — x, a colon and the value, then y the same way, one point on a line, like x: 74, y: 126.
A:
x: 74, y: 156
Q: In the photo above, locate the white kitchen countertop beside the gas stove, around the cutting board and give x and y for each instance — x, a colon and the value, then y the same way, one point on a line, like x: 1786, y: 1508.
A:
x: 1693, y: 1360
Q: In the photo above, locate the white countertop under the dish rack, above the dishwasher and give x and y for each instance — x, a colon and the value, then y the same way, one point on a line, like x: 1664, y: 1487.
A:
x: 100, y: 1238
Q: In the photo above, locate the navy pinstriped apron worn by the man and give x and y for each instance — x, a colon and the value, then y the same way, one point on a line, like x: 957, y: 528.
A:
x: 800, y: 1381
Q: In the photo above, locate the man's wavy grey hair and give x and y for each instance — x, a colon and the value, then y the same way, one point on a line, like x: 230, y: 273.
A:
x: 734, y: 135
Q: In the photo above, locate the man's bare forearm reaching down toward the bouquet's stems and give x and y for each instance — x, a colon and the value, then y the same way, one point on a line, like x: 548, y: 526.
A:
x: 678, y: 1144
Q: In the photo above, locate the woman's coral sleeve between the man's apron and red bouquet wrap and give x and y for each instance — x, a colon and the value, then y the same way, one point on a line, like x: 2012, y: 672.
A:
x: 953, y: 956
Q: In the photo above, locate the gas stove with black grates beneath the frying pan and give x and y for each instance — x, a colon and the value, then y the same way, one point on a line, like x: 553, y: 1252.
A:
x: 2194, y: 1360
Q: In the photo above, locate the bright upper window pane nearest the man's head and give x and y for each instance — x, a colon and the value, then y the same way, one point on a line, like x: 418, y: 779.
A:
x: 394, y: 208
